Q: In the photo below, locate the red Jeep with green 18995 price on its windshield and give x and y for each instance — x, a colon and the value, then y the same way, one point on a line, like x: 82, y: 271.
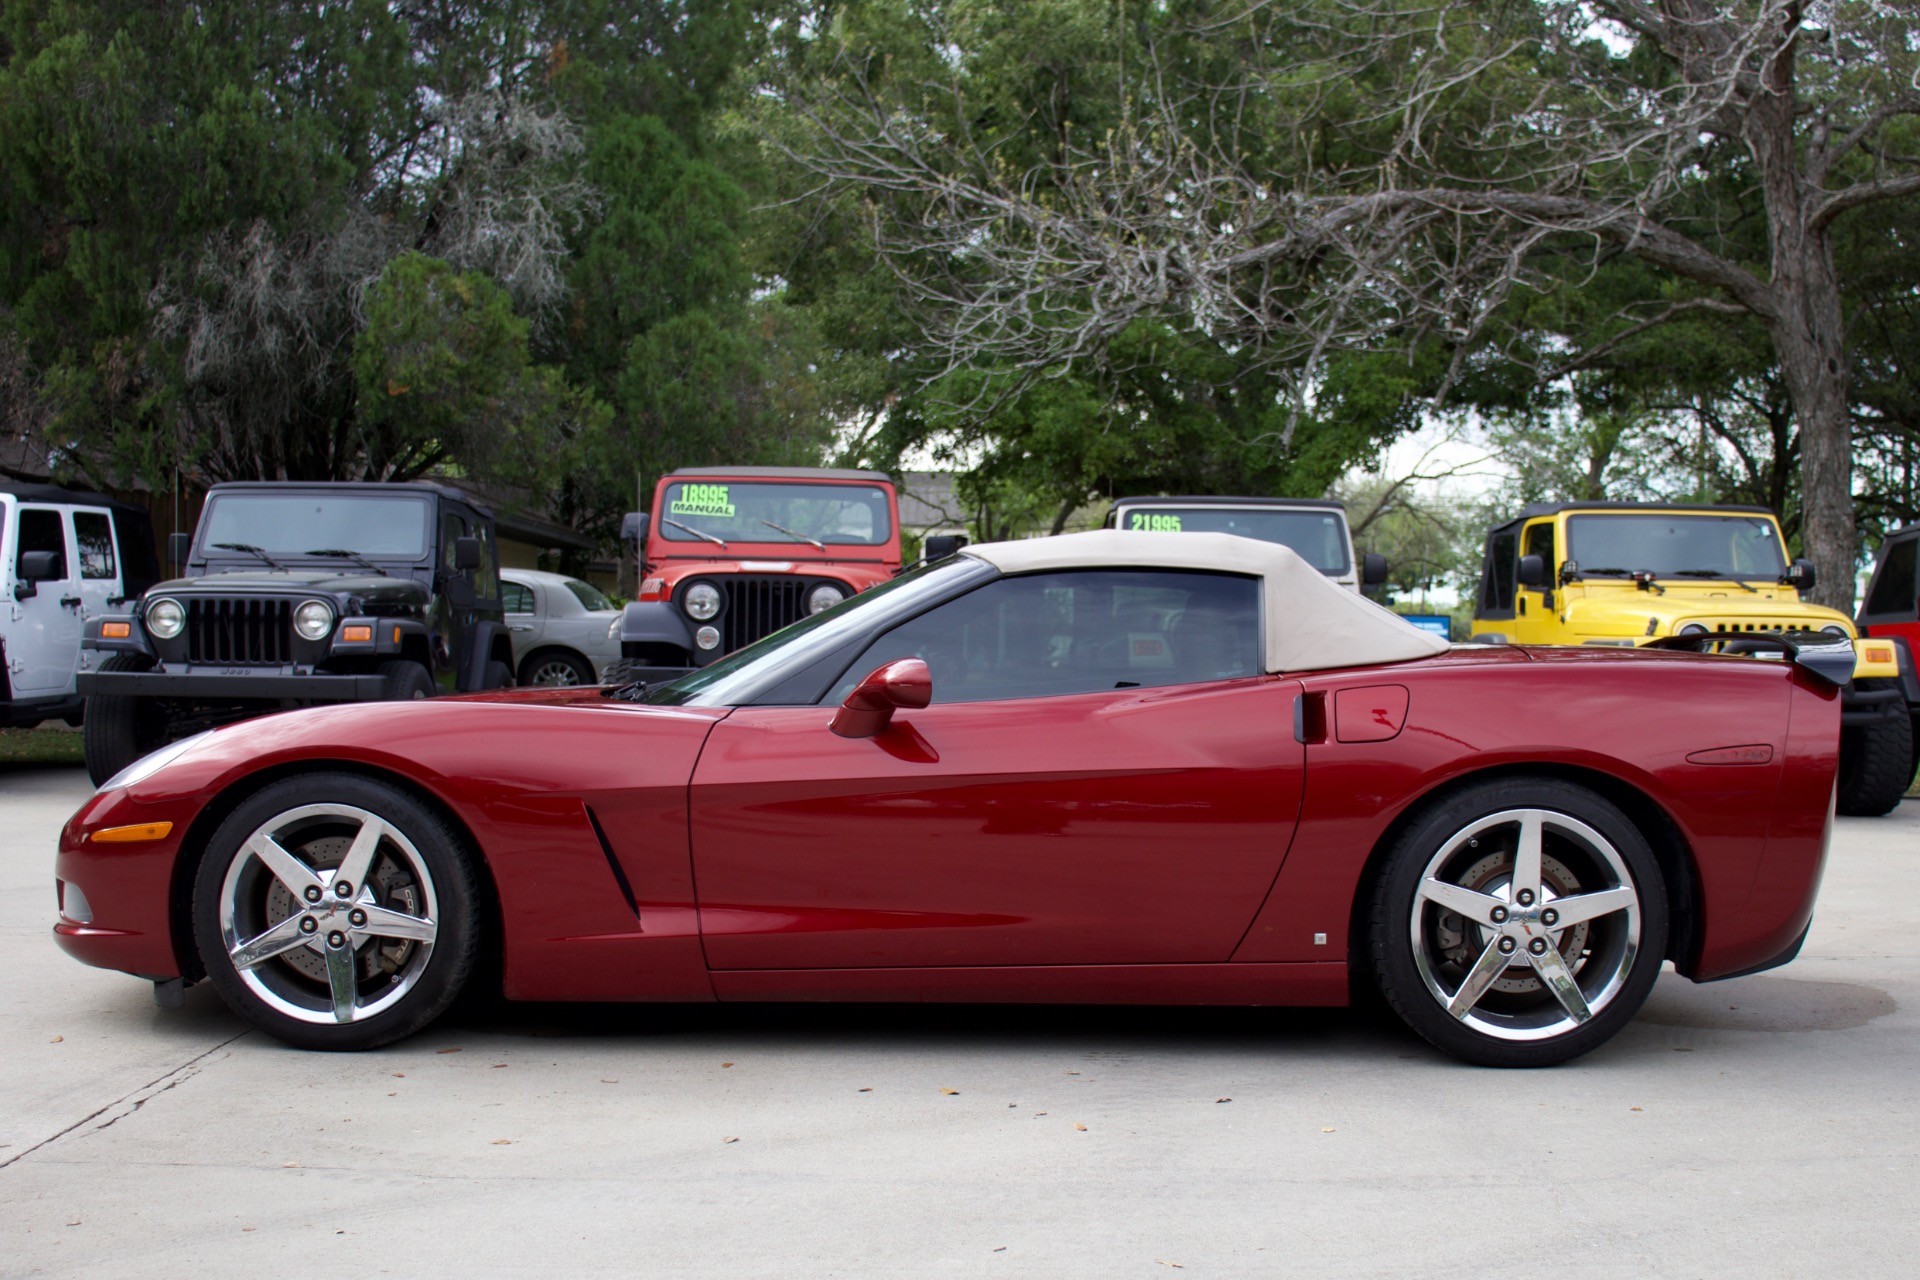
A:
x: 731, y: 556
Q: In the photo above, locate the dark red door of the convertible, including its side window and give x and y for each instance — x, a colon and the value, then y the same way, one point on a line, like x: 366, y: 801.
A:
x: 1103, y: 778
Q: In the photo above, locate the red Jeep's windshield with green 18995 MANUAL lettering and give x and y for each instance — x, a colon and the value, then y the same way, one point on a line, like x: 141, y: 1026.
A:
x: 836, y: 515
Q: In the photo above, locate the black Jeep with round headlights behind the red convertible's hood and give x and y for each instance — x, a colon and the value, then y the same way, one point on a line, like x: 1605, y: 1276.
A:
x: 299, y: 594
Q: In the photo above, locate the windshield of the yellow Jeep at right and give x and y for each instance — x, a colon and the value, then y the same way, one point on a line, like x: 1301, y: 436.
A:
x: 1677, y: 546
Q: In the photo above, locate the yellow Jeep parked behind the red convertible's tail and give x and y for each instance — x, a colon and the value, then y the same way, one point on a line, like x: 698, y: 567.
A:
x: 1635, y: 573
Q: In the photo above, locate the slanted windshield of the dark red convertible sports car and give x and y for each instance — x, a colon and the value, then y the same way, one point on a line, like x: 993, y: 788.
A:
x: 748, y: 673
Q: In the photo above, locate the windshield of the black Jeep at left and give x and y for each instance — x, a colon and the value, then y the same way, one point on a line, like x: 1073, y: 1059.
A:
x: 304, y: 523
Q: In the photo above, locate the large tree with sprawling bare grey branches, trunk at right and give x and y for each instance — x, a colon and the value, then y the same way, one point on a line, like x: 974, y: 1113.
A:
x: 1308, y: 178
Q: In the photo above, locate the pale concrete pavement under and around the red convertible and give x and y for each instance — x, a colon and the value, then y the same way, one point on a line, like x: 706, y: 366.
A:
x: 1765, y: 1127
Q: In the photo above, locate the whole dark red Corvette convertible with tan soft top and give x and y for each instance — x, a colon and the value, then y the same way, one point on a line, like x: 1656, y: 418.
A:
x: 1151, y: 769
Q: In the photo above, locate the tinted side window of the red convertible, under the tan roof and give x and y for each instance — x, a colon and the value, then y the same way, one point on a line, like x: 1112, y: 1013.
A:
x: 1078, y: 632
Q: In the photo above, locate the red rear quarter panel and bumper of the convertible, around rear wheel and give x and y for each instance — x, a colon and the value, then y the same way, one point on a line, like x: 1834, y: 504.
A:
x: 1754, y: 834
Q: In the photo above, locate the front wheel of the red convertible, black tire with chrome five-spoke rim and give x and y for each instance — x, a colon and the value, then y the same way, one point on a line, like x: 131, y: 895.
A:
x: 383, y: 959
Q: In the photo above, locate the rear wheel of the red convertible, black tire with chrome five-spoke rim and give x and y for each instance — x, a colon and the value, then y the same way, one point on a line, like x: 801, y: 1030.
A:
x: 1449, y: 905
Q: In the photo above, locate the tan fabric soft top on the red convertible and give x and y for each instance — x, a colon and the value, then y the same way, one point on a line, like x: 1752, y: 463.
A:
x: 1312, y: 625
